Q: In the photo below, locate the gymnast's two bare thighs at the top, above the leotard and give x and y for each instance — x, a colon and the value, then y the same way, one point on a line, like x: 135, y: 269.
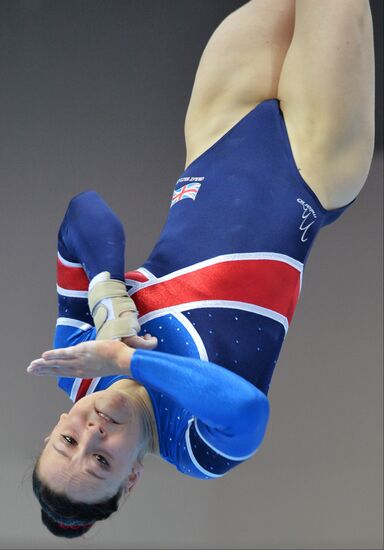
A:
x: 255, y: 54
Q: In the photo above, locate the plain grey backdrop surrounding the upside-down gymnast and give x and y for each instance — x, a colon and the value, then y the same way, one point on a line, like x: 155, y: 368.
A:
x: 93, y: 94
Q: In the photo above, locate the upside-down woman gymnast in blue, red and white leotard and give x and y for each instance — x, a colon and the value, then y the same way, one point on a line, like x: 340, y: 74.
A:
x: 279, y: 136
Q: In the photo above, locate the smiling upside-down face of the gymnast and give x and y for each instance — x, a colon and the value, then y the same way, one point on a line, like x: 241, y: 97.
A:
x: 88, y: 457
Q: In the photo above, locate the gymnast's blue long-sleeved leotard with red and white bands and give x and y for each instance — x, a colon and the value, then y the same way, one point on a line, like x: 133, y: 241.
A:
x: 219, y: 289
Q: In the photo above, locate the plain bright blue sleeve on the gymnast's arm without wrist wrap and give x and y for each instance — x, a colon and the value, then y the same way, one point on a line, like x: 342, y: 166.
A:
x: 232, y: 413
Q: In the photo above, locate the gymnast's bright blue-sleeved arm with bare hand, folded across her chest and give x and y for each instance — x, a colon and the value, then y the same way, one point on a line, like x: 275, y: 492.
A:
x: 231, y: 412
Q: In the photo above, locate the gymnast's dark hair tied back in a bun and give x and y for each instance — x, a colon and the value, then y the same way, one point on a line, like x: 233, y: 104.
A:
x: 65, y: 518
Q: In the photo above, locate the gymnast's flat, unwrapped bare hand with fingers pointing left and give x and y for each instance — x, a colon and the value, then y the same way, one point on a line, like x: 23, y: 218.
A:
x: 85, y: 360
